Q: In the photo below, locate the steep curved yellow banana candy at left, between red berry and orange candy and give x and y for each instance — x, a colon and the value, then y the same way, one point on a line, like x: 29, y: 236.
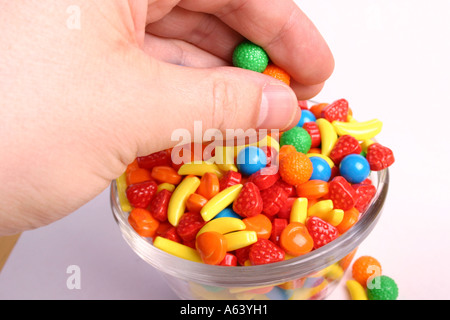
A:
x: 177, y: 203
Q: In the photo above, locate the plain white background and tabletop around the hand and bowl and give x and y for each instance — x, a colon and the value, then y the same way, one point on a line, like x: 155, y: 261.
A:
x: 392, y: 64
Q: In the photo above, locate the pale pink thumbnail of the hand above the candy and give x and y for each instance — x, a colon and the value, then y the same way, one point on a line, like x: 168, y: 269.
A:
x: 279, y: 107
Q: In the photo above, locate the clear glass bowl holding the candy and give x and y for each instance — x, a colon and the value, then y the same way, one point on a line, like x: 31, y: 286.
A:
x: 310, y: 276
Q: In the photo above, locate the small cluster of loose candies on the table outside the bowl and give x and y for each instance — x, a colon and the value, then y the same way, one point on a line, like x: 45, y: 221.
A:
x: 368, y: 283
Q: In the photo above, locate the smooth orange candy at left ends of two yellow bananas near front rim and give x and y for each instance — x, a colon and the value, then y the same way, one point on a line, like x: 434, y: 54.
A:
x: 212, y: 247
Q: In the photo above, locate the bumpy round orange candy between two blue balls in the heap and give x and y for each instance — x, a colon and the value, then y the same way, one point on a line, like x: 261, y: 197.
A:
x: 295, y: 168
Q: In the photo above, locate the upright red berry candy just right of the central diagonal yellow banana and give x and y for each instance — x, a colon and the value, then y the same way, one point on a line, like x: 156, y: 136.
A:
x: 249, y: 202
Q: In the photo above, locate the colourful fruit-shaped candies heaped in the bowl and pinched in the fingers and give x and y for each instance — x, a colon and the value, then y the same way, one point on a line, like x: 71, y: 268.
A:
x: 267, y: 202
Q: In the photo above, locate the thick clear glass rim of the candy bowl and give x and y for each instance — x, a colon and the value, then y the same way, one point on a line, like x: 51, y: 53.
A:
x: 260, y: 275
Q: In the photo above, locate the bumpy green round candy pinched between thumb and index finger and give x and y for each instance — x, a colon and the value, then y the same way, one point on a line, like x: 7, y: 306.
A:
x: 248, y: 55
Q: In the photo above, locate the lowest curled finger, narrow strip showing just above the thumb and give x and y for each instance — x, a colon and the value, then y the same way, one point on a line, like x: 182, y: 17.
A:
x: 179, y: 52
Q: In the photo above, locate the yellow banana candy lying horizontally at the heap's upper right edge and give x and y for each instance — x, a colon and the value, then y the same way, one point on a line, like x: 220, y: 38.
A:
x: 360, y: 130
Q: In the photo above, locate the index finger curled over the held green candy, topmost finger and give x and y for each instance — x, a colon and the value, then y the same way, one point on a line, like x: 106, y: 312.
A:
x: 281, y: 28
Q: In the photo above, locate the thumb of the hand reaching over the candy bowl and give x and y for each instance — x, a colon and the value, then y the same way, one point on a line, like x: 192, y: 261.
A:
x: 171, y: 97
